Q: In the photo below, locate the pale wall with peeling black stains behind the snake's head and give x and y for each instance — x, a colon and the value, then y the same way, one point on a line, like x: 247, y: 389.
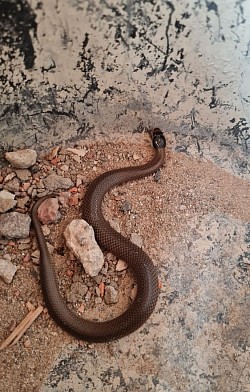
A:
x: 74, y: 67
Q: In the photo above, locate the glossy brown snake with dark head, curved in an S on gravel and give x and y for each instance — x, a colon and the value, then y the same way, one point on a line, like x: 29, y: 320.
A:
x: 140, y: 263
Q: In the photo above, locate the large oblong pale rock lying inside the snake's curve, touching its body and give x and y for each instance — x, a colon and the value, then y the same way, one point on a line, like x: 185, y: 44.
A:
x: 80, y: 239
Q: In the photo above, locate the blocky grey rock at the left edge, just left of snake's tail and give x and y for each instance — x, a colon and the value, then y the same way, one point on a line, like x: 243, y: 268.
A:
x: 14, y: 225
